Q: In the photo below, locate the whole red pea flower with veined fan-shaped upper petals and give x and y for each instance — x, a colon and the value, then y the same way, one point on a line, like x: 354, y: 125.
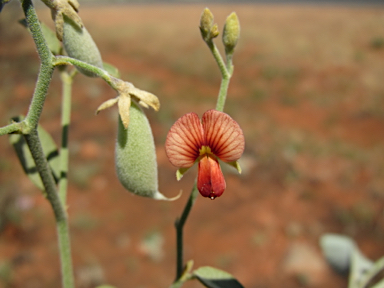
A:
x: 217, y: 136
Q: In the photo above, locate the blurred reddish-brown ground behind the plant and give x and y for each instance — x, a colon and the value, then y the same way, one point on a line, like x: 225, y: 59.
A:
x: 307, y: 90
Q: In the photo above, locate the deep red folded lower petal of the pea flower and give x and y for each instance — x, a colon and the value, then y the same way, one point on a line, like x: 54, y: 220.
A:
x: 210, y: 179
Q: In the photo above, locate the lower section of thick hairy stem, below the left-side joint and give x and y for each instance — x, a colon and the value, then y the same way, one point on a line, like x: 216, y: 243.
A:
x: 41, y: 163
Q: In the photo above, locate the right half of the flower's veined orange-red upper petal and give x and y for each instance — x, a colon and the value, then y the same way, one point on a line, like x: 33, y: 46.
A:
x: 223, y: 135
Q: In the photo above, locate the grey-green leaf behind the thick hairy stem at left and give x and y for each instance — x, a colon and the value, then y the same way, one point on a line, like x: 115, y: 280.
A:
x: 25, y: 157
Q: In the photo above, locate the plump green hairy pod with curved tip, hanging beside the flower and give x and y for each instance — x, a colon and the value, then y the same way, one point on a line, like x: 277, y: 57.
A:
x: 135, y: 156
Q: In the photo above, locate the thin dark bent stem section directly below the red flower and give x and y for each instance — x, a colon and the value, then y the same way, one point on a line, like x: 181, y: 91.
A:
x: 179, y: 225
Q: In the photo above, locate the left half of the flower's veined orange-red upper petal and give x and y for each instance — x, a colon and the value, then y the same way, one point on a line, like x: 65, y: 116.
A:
x: 184, y: 140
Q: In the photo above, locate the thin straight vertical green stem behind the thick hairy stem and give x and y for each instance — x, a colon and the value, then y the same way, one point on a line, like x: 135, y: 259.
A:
x: 65, y: 121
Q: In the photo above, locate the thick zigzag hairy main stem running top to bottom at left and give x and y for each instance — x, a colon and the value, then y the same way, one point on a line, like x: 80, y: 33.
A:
x: 29, y: 129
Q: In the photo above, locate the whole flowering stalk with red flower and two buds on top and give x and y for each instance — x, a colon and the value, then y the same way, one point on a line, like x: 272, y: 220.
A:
x: 188, y: 142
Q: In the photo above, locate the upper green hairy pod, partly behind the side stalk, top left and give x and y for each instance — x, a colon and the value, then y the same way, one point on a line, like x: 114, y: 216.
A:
x: 78, y: 44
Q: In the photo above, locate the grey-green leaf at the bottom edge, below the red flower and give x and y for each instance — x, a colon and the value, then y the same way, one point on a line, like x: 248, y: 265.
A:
x: 215, y: 278
